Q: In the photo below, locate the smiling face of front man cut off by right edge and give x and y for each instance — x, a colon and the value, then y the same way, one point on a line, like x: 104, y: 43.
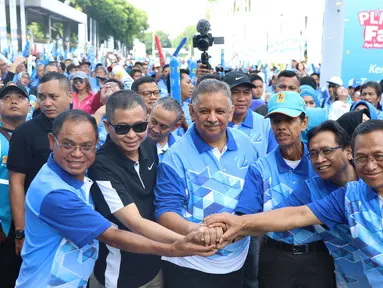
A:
x: 370, y: 145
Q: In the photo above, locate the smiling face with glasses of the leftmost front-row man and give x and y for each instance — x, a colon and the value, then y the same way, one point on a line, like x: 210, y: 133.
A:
x: 74, y: 133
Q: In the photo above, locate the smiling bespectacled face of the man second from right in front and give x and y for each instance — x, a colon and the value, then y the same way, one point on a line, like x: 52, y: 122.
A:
x: 336, y: 162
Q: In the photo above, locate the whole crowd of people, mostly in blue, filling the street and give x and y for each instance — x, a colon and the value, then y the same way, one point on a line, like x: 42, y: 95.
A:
x: 108, y: 181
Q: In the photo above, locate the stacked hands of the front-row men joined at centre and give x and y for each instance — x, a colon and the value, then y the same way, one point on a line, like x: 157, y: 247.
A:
x: 216, y: 231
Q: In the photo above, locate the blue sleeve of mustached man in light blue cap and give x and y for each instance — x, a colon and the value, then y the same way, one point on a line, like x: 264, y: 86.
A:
x: 251, y: 199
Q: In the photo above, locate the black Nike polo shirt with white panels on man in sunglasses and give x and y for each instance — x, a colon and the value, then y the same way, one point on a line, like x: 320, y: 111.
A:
x: 116, y: 185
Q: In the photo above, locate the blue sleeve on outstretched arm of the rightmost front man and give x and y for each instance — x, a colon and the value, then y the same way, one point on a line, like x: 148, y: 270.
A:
x: 331, y: 209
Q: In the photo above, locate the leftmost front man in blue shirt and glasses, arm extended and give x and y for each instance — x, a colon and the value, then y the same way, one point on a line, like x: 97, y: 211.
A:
x: 62, y: 227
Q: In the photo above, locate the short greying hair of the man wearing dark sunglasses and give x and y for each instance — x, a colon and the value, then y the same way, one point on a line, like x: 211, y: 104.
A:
x: 124, y: 99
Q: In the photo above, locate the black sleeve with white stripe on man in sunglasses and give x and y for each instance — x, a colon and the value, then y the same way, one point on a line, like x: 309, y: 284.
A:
x: 108, y: 192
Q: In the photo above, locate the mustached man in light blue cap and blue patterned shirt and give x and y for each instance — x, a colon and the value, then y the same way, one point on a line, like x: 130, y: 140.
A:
x: 287, y: 258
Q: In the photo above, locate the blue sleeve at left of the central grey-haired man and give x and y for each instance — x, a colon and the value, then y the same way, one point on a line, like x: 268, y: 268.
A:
x: 170, y: 191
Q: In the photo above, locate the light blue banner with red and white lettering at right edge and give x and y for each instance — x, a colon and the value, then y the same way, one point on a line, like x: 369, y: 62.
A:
x: 363, y: 41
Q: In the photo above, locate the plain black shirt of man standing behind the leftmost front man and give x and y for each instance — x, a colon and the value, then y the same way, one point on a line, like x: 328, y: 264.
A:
x: 29, y: 148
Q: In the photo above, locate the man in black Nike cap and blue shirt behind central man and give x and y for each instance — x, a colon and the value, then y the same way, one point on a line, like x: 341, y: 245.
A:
x: 252, y: 124
